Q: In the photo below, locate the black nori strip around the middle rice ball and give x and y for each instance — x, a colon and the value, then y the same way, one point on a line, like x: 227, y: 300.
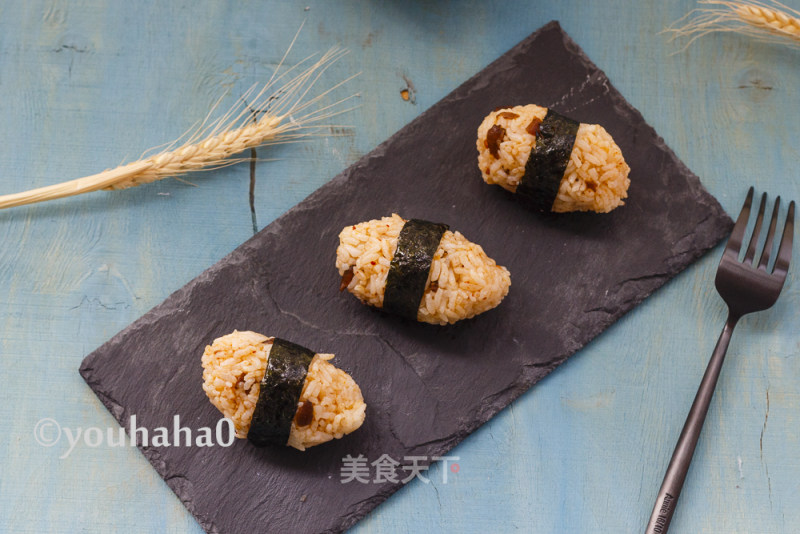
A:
x: 408, y: 272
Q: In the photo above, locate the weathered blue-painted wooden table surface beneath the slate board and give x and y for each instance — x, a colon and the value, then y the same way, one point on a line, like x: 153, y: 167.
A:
x: 85, y: 85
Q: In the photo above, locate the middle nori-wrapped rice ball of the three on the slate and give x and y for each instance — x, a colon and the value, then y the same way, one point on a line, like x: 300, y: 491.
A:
x: 419, y: 270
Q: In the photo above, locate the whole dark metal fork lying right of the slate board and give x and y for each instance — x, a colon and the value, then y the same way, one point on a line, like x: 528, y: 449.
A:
x: 746, y: 287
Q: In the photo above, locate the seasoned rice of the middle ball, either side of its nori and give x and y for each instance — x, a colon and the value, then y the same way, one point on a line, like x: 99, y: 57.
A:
x: 463, y: 281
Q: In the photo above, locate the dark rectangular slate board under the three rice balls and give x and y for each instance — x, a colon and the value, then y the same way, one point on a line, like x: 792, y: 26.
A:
x: 426, y: 387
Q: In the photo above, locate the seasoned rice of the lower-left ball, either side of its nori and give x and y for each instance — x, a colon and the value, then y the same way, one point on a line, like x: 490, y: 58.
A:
x: 233, y: 366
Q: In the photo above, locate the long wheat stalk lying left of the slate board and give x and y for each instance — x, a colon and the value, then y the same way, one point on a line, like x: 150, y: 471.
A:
x: 288, y: 114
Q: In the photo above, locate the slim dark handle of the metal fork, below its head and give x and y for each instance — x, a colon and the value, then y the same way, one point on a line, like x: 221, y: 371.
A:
x: 684, y: 450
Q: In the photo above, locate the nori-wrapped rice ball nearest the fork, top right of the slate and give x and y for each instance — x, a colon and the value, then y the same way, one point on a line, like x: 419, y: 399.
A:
x: 551, y: 162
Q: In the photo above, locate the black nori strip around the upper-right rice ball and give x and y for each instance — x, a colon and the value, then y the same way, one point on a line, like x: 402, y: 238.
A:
x: 545, y: 168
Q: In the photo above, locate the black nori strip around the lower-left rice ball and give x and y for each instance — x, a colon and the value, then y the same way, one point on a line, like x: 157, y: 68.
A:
x: 281, y: 386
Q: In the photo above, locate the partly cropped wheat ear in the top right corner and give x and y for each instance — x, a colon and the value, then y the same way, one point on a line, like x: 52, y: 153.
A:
x: 767, y: 21
